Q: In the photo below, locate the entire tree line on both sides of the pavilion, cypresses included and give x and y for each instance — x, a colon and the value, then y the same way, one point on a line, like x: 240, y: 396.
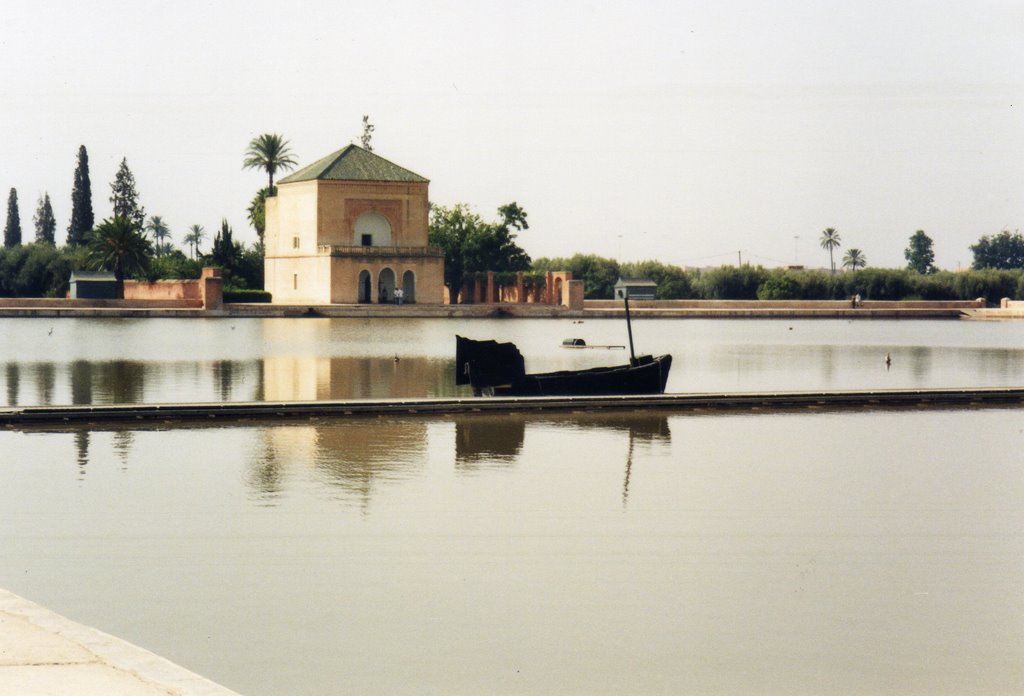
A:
x: 134, y: 246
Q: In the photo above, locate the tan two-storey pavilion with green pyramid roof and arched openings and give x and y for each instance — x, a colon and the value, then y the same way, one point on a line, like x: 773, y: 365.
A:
x: 352, y: 229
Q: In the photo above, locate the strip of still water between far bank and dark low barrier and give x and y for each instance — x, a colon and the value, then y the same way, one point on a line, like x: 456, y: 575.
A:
x: 126, y: 361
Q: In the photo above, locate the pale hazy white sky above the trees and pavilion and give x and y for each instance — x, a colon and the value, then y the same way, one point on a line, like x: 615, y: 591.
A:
x: 695, y: 133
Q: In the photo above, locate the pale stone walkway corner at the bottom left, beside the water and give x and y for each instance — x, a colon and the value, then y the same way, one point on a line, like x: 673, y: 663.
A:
x: 44, y: 654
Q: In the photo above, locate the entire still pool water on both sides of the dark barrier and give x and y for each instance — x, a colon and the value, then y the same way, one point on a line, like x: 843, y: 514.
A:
x: 855, y: 552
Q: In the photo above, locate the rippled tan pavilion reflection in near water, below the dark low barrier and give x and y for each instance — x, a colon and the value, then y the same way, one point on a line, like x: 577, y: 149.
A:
x: 353, y: 454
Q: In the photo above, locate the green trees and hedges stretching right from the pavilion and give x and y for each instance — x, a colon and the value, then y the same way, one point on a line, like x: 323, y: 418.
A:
x: 474, y: 246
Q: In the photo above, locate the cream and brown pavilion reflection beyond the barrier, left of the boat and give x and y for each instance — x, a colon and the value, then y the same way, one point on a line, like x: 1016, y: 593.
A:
x: 308, y: 379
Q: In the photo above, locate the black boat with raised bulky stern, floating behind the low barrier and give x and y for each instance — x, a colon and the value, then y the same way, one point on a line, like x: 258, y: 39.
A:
x: 498, y: 369
